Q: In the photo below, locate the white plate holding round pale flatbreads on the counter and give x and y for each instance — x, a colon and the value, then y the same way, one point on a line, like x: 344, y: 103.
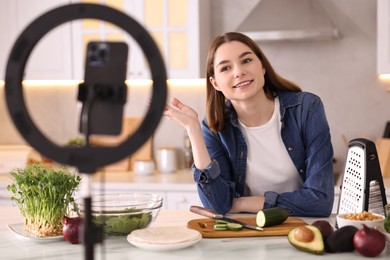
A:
x: 163, y: 238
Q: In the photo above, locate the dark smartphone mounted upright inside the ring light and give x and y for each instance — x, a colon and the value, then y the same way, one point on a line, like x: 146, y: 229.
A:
x: 104, y: 83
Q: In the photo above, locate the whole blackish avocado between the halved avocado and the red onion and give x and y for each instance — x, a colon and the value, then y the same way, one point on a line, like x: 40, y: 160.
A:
x: 341, y: 240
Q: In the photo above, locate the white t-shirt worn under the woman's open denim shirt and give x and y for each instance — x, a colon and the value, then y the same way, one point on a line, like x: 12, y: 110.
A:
x: 269, y: 166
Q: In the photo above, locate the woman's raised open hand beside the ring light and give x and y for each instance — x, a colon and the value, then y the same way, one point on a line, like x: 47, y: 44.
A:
x: 181, y: 114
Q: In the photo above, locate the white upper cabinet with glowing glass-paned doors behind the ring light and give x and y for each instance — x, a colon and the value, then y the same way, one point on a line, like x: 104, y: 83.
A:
x: 179, y: 27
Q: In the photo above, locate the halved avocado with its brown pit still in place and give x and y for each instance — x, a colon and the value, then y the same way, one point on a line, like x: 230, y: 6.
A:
x: 307, y: 238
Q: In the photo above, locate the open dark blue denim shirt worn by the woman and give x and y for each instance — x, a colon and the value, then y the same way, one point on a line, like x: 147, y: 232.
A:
x: 306, y: 135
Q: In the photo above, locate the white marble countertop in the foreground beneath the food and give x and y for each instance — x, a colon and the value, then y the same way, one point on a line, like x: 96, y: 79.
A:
x: 13, y: 247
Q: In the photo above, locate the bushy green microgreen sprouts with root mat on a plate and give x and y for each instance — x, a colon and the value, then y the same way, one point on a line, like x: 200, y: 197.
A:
x: 44, y: 196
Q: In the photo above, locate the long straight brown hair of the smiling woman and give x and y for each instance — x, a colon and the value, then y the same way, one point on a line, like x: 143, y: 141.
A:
x: 215, y: 100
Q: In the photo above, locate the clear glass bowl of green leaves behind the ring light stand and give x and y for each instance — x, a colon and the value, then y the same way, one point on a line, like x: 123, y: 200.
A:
x: 120, y: 214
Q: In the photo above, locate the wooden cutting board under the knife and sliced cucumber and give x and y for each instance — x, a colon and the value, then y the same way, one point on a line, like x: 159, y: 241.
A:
x: 206, y: 227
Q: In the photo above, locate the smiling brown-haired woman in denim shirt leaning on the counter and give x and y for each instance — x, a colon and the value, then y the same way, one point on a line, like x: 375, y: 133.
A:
x: 264, y: 143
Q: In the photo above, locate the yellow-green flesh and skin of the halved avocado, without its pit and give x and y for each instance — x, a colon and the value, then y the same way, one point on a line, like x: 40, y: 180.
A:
x: 316, y: 246
